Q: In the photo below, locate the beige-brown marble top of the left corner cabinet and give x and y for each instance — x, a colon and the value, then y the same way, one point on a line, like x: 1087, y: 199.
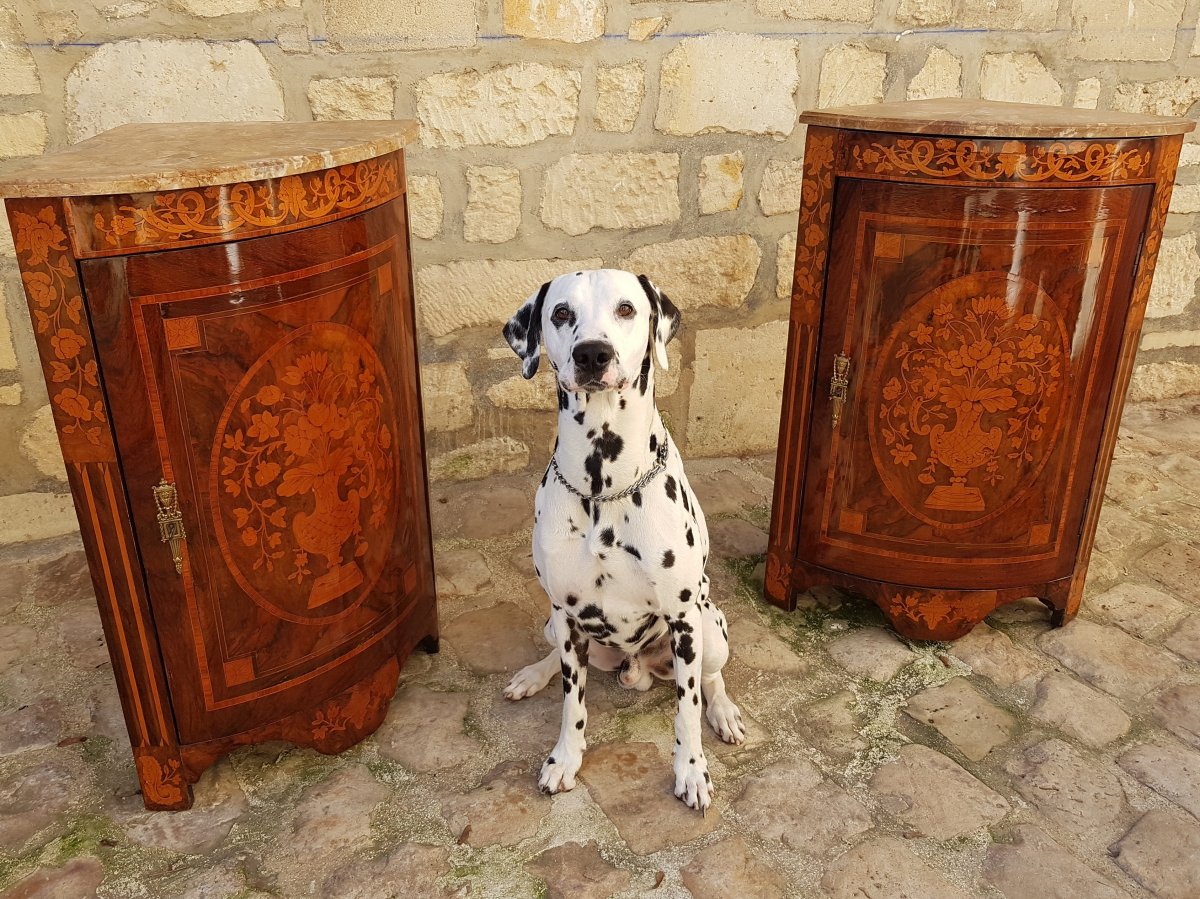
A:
x: 136, y: 159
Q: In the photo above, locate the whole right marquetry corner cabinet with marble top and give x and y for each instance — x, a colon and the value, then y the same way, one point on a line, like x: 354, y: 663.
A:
x: 970, y: 285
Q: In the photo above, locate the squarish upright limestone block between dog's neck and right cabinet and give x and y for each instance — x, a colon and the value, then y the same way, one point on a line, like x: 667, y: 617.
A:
x: 739, y: 385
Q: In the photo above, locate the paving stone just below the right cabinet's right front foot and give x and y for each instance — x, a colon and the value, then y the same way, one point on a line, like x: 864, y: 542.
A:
x: 1111, y: 660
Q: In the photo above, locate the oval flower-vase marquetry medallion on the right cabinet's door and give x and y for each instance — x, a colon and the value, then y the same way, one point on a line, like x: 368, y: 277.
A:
x: 967, y: 398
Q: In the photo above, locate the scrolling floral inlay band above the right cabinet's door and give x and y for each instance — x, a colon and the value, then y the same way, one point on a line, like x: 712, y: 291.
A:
x: 1010, y: 160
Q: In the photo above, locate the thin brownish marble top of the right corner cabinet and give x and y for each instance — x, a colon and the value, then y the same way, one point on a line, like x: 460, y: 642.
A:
x: 989, y: 118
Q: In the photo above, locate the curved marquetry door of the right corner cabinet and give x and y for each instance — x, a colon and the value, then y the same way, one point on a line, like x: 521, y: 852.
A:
x: 982, y: 328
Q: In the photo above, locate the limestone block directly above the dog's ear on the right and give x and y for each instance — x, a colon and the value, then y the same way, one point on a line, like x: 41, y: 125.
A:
x: 700, y: 272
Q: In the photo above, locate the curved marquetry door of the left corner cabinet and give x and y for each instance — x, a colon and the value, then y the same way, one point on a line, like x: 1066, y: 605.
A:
x: 274, y: 382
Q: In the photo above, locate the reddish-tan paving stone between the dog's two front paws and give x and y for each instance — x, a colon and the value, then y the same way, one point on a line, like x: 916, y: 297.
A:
x: 634, y: 786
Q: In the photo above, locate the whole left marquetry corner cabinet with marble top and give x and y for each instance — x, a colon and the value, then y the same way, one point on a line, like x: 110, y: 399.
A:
x: 225, y: 320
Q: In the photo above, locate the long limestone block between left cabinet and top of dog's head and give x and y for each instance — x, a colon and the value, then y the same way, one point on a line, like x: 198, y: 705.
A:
x: 466, y: 295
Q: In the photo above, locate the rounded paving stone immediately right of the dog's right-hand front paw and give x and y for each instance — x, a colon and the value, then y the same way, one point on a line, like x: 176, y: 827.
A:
x: 790, y: 804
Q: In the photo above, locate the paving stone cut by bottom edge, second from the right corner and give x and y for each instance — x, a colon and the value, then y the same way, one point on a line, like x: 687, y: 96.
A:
x: 1035, y: 866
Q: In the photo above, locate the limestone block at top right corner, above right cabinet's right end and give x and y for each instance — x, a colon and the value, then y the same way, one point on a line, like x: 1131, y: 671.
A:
x: 1125, y: 29
